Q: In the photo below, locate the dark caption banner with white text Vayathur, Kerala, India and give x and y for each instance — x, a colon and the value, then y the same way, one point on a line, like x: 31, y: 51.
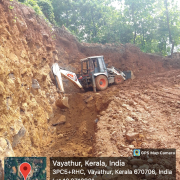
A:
x: 145, y: 164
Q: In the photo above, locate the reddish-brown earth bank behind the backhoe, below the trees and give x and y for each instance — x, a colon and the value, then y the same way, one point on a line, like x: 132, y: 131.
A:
x: 124, y: 57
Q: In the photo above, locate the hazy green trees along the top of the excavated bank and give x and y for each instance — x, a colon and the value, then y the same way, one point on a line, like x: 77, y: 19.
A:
x: 152, y: 25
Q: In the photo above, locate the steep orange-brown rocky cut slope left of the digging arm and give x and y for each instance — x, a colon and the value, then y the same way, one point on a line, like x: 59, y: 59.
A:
x: 26, y: 50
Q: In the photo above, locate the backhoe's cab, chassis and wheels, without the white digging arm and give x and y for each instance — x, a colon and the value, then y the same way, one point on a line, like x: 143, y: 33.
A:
x: 94, y: 73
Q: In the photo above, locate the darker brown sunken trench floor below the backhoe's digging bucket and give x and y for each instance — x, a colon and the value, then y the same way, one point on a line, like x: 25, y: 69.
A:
x: 74, y: 128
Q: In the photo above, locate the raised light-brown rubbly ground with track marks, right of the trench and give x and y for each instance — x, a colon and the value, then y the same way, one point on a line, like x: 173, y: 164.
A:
x: 148, y: 106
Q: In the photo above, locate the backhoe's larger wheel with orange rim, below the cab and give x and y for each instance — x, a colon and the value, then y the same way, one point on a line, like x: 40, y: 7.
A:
x: 101, y: 82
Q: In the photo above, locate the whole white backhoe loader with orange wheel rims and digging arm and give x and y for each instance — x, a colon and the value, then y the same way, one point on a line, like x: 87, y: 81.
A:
x: 94, y: 73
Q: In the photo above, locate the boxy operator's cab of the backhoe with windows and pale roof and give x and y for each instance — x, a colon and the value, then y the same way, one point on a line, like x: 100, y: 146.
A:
x: 93, y: 66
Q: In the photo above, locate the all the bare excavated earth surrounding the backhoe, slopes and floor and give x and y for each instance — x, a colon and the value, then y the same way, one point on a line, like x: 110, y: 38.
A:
x: 96, y: 124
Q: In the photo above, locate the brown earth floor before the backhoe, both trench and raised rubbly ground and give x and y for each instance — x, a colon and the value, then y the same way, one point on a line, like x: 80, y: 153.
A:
x: 148, y: 106
